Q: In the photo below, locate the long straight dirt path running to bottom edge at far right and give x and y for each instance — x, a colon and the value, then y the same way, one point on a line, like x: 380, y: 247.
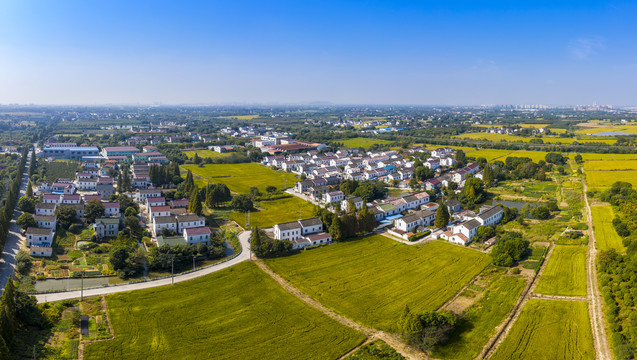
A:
x: 602, y: 347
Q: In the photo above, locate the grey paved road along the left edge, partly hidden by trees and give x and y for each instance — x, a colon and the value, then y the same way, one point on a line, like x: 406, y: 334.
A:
x: 14, y: 238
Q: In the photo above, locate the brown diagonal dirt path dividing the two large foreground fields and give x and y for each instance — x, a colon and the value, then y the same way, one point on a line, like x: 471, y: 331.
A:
x: 391, y: 339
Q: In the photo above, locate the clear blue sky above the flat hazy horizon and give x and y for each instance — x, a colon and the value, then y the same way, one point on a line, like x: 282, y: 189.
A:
x: 347, y: 52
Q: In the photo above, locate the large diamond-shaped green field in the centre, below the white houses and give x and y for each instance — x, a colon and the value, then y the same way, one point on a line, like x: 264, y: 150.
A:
x: 373, y: 278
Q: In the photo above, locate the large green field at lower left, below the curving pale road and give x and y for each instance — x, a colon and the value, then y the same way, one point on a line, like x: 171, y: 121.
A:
x: 236, y: 313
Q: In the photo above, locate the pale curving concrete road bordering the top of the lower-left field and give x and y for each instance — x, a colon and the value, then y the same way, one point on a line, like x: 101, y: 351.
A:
x: 244, y: 238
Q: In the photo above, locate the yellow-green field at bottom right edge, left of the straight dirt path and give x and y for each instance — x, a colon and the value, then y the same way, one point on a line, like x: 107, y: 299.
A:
x: 548, y: 329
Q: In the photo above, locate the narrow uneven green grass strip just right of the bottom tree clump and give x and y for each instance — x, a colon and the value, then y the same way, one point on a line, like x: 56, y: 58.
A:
x: 478, y: 323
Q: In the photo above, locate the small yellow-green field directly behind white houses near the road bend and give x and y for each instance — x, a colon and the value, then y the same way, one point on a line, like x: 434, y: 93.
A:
x: 276, y: 211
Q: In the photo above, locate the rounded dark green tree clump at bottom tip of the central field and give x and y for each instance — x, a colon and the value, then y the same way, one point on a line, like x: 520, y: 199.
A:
x: 426, y: 329
